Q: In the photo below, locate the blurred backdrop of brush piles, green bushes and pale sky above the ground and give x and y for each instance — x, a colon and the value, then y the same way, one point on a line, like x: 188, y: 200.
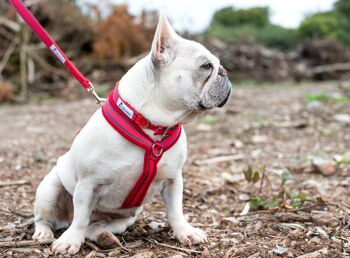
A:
x: 257, y: 41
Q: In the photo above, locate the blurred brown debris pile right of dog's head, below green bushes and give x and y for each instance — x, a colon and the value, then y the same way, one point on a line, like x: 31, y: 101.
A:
x: 312, y: 60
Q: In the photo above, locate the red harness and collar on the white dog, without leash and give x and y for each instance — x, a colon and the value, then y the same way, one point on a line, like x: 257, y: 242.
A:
x: 128, y: 122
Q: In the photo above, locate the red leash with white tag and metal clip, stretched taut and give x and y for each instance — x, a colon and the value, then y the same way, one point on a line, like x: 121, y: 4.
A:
x: 40, y: 32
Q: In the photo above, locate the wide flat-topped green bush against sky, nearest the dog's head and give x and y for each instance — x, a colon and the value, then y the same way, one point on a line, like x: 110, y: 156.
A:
x: 230, y: 17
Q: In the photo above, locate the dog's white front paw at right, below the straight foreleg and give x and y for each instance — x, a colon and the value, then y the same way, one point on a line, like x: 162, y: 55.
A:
x: 189, y: 235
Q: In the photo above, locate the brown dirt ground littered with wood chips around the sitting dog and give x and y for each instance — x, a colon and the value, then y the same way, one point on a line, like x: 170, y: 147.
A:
x: 274, y: 127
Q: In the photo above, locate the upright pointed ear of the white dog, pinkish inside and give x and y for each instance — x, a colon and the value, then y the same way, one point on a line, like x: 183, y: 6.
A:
x: 164, y: 41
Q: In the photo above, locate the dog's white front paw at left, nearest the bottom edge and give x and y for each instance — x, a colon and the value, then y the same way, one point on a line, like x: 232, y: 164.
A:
x: 69, y: 243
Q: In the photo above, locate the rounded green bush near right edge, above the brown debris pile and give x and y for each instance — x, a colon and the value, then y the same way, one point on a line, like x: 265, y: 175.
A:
x: 319, y: 25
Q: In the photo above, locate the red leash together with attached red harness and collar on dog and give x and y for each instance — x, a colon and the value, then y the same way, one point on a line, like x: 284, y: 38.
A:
x: 126, y: 120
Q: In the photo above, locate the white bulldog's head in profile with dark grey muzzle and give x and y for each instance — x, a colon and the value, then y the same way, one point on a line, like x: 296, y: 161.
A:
x: 189, y: 77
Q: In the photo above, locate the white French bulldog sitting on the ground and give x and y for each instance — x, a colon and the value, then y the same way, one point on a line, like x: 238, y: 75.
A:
x: 176, y: 82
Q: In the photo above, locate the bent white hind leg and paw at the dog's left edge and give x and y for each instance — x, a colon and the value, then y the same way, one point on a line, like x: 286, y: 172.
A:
x: 45, y: 206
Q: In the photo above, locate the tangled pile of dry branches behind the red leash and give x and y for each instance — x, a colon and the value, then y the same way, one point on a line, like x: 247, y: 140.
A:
x: 25, y: 62
